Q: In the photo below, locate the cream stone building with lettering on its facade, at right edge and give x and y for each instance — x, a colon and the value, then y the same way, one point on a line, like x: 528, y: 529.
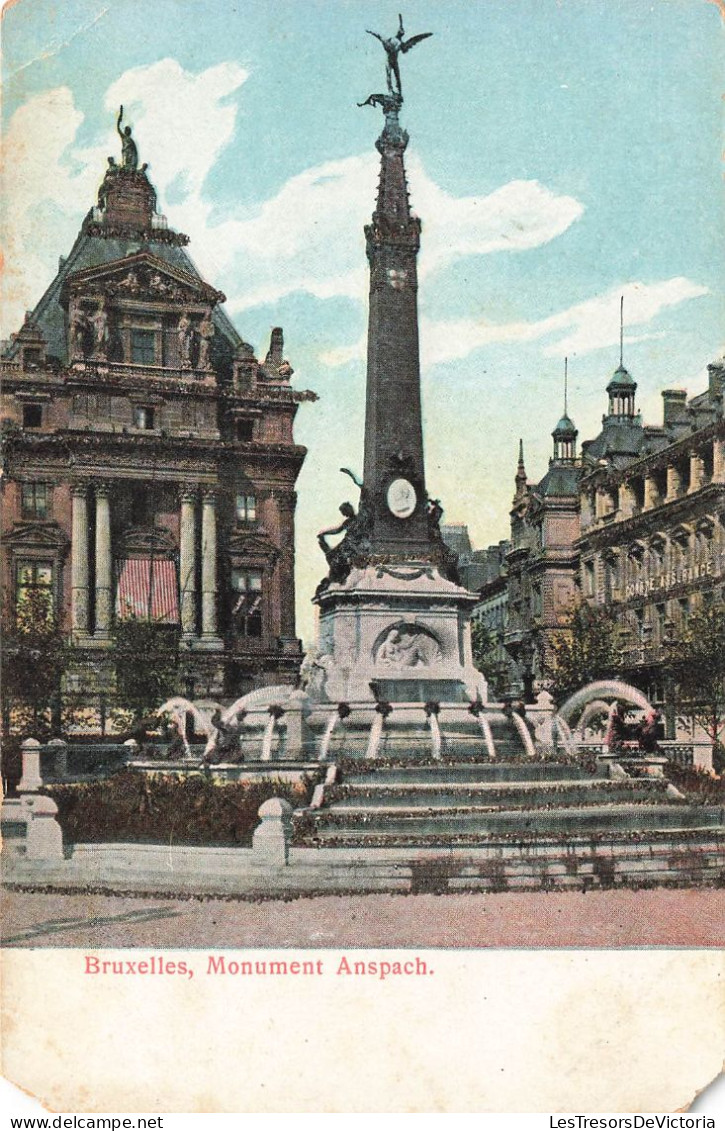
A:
x: 652, y: 543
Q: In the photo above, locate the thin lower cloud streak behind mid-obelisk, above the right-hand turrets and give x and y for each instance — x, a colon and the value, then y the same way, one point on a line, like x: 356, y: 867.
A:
x: 581, y: 330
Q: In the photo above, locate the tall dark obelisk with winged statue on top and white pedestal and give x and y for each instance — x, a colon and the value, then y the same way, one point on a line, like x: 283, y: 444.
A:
x: 394, y: 623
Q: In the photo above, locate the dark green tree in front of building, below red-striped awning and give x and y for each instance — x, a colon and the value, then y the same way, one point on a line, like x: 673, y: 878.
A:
x: 146, y: 662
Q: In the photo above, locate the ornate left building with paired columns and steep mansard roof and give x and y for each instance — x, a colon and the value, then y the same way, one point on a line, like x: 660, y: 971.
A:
x: 151, y: 463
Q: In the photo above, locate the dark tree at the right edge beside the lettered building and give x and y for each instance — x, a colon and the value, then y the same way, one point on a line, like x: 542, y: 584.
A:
x: 697, y: 662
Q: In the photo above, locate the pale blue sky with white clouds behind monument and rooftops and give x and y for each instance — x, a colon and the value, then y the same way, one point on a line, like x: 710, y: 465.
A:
x: 563, y: 153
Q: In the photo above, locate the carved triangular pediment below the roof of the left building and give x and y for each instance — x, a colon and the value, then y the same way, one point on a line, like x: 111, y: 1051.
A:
x: 142, y: 278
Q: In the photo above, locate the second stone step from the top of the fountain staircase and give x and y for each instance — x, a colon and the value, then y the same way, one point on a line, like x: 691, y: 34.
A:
x: 428, y: 796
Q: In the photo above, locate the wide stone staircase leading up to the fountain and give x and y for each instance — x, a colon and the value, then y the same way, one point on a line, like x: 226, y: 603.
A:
x: 513, y: 824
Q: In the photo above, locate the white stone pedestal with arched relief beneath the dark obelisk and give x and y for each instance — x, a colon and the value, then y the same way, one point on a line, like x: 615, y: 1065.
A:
x: 398, y: 634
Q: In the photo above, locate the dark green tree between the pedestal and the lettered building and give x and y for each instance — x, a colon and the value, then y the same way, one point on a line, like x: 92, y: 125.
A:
x: 585, y: 650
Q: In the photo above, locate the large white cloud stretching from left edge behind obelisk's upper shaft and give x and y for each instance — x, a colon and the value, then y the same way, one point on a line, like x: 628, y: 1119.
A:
x: 305, y: 238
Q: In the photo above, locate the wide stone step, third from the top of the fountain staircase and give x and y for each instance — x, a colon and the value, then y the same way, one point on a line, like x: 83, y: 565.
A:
x: 355, y: 826
